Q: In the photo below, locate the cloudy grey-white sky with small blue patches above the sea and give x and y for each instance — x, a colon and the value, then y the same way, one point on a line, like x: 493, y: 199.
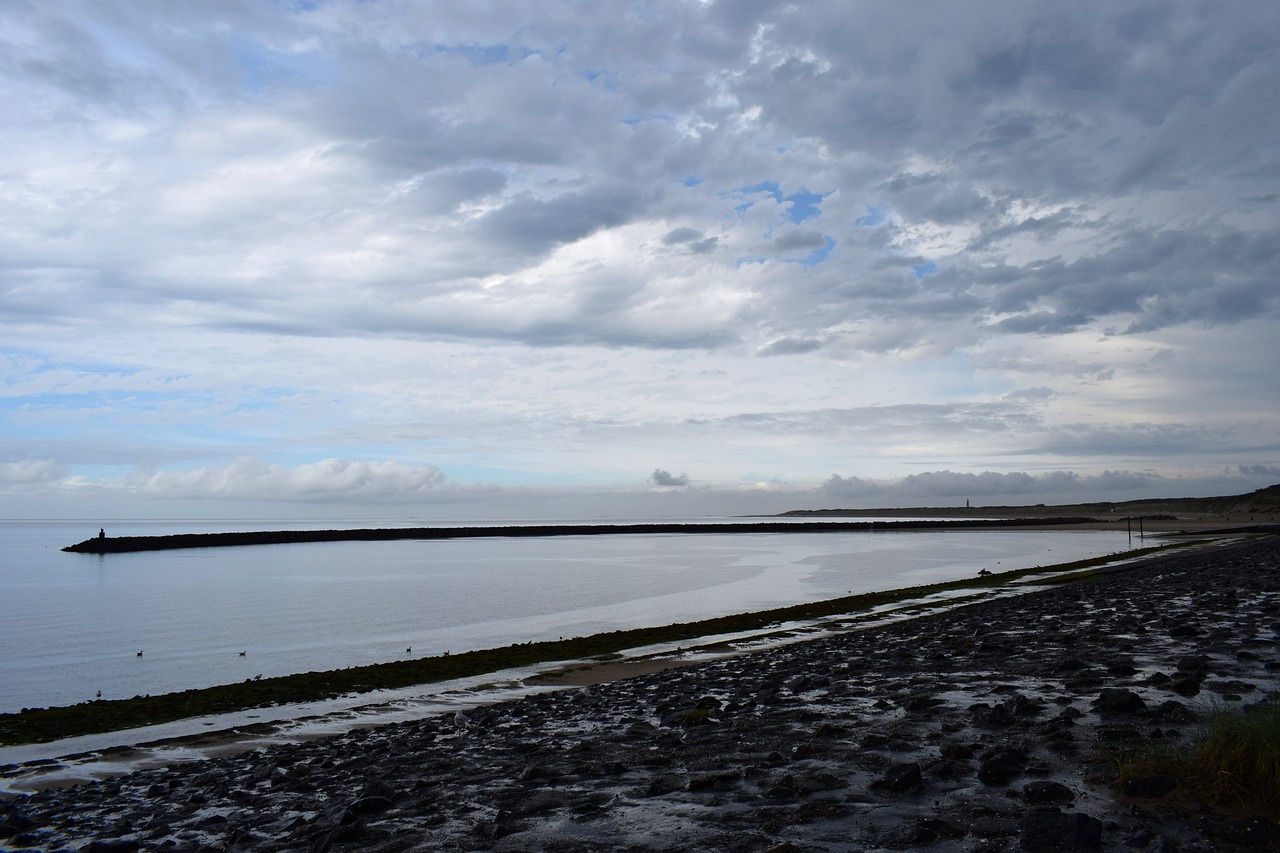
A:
x: 537, y: 259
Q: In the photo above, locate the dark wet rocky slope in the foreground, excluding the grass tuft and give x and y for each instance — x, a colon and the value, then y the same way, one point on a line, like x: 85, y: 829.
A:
x: 980, y: 729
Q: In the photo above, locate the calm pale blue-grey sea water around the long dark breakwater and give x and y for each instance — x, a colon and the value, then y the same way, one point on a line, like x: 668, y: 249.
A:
x: 74, y: 624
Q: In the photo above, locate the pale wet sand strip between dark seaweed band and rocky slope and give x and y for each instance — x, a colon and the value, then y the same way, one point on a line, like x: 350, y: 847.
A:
x: 29, y: 768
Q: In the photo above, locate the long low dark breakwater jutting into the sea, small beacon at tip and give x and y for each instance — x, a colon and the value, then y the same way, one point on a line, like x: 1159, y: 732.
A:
x: 127, y: 545
